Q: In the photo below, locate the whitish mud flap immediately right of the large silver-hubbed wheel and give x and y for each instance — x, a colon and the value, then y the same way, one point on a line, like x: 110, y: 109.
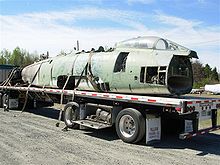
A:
x: 153, y: 128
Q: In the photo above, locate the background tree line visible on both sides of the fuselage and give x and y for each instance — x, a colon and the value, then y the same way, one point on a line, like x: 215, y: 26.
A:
x: 20, y: 57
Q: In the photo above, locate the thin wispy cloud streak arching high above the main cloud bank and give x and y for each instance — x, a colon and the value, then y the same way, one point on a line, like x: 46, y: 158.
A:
x: 127, y: 18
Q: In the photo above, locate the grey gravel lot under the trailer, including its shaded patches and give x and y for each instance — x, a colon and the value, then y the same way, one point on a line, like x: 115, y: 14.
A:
x: 32, y: 138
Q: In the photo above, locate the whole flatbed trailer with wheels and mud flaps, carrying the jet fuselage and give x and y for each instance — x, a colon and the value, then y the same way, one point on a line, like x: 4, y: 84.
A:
x: 134, y: 116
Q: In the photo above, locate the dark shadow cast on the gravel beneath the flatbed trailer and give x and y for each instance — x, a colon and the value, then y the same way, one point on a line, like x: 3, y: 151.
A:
x: 206, y: 144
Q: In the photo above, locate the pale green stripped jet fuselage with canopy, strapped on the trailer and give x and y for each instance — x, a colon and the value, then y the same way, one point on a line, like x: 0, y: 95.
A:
x: 143, y: 65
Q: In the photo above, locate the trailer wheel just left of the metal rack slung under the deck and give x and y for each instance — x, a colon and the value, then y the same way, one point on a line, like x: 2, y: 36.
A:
x: 71, y: 113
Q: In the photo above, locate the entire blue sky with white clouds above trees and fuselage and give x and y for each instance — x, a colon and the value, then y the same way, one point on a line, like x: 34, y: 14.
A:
x: 55, y: 25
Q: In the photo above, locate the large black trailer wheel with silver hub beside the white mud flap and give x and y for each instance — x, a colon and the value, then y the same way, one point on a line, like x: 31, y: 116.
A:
x: 130, y: 125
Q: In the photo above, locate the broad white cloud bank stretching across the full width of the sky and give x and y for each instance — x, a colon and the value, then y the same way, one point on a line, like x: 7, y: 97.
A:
x: 56, y: 31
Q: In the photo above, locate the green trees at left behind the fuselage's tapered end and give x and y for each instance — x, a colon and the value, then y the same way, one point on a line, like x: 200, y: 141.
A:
x: 18, y: 57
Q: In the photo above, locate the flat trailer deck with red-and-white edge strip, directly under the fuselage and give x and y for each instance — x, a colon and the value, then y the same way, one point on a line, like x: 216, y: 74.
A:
x: 178, y: 102
